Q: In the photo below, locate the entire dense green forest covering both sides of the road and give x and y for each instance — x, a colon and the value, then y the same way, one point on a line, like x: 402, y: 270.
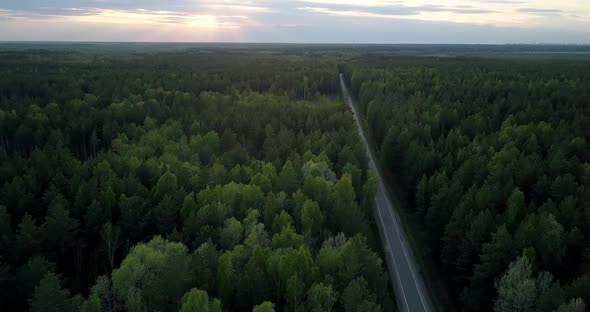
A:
x: 232, y: 178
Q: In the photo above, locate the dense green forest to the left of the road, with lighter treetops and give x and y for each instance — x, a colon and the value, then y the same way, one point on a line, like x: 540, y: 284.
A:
x: 194, y: 180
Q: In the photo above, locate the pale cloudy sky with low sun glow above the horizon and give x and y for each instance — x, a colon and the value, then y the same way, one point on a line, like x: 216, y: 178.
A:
x: 298, y: 21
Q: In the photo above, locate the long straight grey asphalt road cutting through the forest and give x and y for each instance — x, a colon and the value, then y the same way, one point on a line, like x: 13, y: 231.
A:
x: 410, y: 292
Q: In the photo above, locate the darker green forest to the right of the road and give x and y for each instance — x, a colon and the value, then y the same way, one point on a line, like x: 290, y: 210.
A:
x: 493, y: 157
